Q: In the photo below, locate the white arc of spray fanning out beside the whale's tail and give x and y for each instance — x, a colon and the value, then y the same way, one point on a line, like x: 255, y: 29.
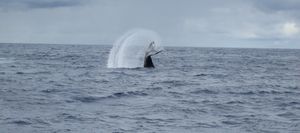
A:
x: 129, y: 50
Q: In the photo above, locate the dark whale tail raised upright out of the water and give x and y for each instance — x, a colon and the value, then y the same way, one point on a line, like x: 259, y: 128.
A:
x: 148, y: 60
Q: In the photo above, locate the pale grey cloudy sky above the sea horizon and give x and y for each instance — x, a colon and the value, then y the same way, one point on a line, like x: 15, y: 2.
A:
x: 198, y: 23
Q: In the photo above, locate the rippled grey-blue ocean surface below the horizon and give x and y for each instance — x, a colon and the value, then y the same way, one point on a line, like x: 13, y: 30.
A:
x: 68, y: 88
